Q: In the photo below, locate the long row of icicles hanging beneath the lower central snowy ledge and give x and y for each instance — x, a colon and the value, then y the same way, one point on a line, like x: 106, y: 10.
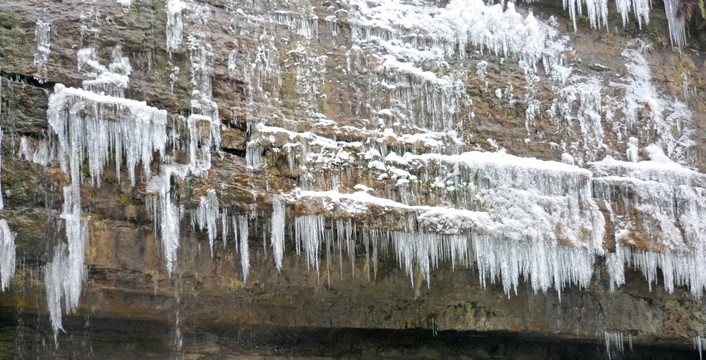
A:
x: 418, y: 252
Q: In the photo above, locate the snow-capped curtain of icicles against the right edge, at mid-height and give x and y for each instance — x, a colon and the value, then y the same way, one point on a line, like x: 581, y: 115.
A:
x: 663, y: 205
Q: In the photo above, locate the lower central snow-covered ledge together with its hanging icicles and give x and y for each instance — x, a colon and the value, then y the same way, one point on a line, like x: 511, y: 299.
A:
x: 501, y: 253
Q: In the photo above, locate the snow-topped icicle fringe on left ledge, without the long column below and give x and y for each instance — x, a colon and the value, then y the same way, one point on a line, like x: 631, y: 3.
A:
x: 95, y: 125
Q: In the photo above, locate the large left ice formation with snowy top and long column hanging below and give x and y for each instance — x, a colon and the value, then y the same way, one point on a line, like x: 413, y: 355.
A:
x: 92, y: 126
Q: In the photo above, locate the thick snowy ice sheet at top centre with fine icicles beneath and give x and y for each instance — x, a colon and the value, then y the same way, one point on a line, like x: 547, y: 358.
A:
x: 413, y: 44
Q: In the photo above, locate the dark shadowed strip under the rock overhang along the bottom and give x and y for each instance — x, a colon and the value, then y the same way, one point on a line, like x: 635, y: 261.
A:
x: 28, y: 336
